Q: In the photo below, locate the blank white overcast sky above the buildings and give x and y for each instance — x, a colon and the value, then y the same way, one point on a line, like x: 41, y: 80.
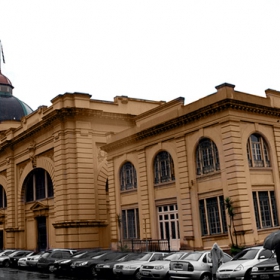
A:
x: 156, y: 50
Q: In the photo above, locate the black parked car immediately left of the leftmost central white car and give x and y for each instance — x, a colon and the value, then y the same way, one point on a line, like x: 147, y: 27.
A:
x: 105, y: 270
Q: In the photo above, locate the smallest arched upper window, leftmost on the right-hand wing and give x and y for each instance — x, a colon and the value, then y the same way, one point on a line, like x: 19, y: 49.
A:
x: 128, y: 179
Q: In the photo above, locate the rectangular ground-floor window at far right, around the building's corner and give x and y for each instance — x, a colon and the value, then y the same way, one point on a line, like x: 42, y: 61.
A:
x: 265, y: 209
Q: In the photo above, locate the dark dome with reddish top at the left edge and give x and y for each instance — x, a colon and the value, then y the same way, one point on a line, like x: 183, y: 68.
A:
x: 11, y: 108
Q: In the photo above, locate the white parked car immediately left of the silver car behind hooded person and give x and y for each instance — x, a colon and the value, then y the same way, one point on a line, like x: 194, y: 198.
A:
x: 160, y: 269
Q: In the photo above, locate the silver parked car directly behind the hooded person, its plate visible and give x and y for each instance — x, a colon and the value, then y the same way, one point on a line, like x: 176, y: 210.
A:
x: 196, y: 265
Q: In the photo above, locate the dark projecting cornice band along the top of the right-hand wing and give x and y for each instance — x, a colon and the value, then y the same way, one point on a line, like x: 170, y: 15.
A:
x: 223, y: 105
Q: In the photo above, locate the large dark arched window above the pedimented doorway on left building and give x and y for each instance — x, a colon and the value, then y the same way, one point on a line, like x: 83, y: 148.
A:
x: 38, y: 185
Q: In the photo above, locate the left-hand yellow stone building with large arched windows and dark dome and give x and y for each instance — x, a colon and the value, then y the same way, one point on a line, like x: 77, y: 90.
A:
x: 53, y: 174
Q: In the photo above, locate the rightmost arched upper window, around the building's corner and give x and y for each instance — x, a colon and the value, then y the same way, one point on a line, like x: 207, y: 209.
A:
x: 257, y: 152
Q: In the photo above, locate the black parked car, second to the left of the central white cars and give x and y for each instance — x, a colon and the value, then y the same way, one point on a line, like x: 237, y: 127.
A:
x: 86, y: 267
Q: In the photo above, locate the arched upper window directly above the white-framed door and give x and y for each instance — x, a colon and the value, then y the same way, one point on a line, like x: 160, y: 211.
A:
x: 163, y: 168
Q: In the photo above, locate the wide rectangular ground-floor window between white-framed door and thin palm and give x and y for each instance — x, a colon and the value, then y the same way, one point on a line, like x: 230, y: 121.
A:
x: 212, y: 215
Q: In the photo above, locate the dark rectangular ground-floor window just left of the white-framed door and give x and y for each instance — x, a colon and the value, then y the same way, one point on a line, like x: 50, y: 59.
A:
x: 130, y: 224
